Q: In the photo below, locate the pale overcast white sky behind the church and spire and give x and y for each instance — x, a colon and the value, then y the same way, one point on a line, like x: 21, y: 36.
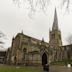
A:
x: 14, y: 20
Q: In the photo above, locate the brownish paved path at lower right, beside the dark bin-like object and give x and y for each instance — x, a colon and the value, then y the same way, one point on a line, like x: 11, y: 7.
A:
x: 60, y: 69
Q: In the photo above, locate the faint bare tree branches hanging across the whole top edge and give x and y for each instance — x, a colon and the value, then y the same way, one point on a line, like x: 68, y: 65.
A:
x: 43, y: 4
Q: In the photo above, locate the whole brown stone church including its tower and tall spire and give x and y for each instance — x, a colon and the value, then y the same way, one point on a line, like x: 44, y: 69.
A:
x: 26, y: 50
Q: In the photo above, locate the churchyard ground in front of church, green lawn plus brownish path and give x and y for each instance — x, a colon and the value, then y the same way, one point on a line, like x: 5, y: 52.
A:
x: 52, y: 68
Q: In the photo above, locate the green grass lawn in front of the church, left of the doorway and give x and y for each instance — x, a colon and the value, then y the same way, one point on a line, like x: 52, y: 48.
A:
x: 6, y: 68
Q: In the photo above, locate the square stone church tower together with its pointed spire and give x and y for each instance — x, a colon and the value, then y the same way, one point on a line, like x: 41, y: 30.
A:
x: 55, y: 34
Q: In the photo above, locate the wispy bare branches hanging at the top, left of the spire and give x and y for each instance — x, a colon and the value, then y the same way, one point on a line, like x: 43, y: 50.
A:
x: 33, y: 4
